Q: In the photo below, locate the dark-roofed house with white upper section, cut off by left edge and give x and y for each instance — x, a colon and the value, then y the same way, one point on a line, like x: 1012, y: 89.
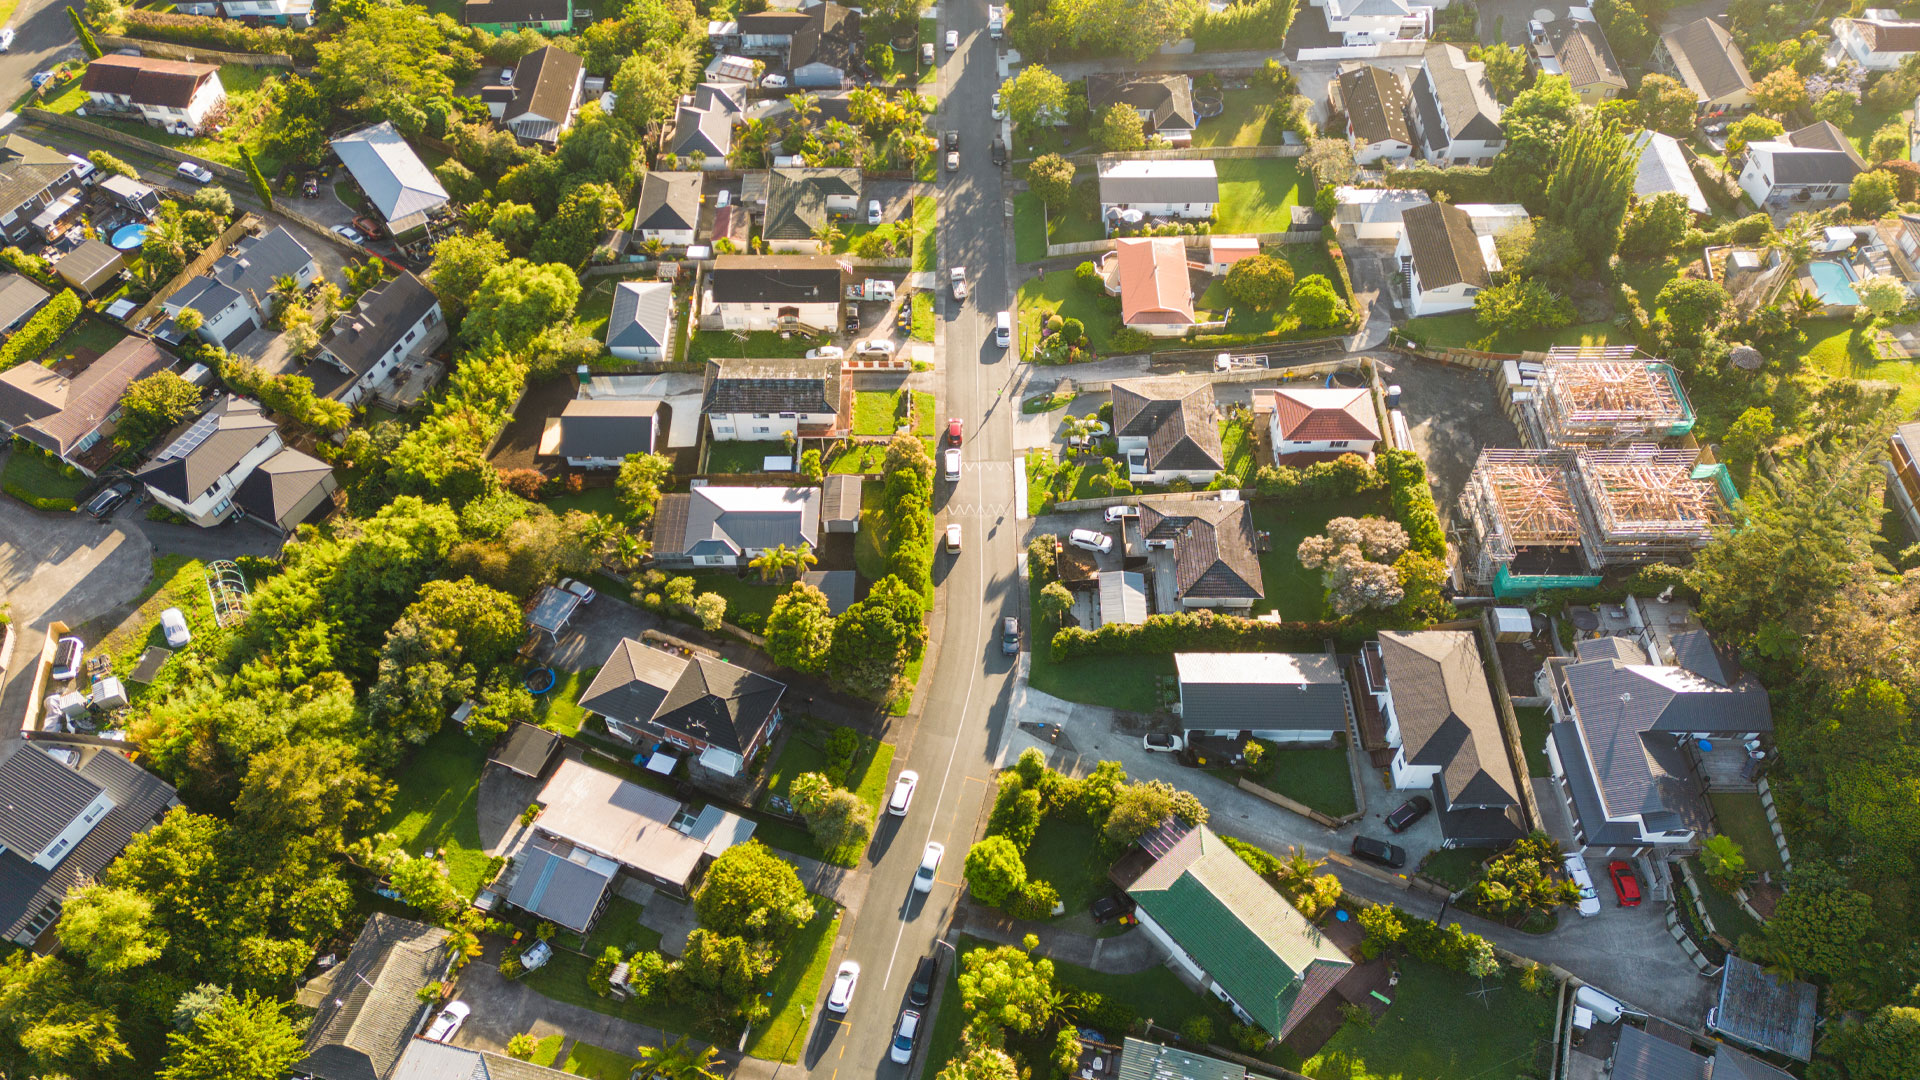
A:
x: 72, y: 810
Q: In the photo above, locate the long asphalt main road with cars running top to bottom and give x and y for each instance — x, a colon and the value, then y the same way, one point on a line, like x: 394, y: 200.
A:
x: 965, y: 712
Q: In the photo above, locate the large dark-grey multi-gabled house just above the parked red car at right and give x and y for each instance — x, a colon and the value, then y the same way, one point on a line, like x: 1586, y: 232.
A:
x: 1627, y: 735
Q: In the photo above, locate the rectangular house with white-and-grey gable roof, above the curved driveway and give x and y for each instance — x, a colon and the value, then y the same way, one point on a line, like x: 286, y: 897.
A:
x: 1274, y: 697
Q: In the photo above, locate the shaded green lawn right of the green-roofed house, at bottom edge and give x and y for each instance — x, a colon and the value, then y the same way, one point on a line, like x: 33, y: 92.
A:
x: 1435, y: 1029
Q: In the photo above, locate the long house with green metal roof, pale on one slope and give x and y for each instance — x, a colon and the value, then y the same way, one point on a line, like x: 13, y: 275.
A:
x: 1230, y: 929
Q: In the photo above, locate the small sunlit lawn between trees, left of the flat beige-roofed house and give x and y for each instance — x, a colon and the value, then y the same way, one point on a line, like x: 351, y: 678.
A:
x: 435, y: 808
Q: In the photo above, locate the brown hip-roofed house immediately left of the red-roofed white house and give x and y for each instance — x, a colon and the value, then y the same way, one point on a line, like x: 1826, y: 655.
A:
x: 1168, y: 430
